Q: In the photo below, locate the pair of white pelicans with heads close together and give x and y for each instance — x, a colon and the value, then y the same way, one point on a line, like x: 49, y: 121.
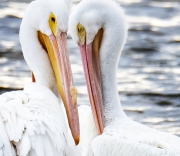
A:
x: 34, y: 120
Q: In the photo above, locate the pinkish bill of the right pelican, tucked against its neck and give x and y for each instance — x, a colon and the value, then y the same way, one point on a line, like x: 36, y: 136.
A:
x: 91, y: 66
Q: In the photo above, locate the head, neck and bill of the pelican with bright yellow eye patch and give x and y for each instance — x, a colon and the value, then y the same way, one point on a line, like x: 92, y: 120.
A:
x: 43, y: 35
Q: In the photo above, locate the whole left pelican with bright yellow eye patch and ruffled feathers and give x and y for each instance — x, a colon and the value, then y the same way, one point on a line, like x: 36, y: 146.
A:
x: 34, y: 120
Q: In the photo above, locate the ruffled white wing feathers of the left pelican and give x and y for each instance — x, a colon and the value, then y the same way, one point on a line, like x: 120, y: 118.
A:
x: 34, y: 121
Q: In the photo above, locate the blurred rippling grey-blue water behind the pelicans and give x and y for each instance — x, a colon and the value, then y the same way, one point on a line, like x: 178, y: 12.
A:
x: 148, y: 74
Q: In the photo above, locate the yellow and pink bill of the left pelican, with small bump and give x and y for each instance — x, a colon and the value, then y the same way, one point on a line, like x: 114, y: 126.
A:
x: 56, y: 47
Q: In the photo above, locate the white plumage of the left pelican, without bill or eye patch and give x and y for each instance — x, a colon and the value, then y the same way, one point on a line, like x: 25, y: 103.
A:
x: 34, y: 120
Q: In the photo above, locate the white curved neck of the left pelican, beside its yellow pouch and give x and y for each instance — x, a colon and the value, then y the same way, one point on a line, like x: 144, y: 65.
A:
x: 36, y: 57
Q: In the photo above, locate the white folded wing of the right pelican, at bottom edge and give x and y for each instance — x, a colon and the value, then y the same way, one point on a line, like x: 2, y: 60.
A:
x: 123, y: 147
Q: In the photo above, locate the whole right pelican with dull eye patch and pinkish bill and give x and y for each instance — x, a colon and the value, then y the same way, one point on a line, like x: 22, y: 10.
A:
x: 100, y: 30
